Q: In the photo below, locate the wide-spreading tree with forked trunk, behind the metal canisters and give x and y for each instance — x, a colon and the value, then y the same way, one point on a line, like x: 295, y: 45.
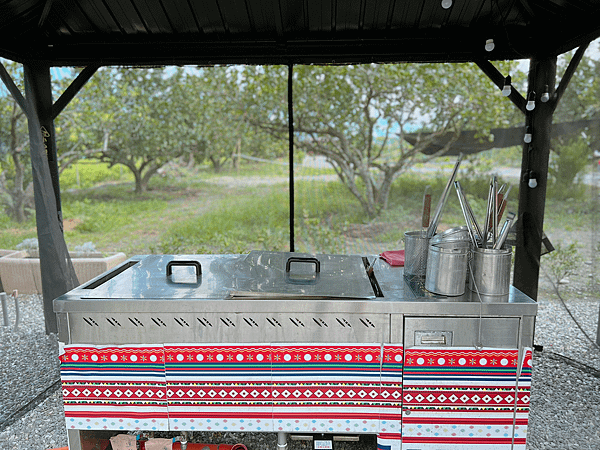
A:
x: 356, y: 116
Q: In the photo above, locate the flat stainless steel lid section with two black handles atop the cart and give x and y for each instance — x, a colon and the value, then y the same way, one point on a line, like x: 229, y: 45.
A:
x: 258, y: 275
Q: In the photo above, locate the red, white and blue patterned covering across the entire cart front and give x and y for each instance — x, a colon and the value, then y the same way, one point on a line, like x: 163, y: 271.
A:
x: 434, y: 398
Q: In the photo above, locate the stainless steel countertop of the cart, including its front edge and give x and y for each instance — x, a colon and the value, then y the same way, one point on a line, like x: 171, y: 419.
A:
x: 141, y: 290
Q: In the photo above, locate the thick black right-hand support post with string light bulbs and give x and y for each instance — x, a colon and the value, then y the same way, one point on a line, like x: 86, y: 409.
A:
x: 534, y: 176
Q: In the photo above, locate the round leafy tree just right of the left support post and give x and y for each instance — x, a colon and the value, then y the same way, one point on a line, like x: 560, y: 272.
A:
x: 139, y: 118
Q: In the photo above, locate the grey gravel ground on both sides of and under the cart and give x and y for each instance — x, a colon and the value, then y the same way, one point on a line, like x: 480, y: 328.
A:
x: 565, y: 404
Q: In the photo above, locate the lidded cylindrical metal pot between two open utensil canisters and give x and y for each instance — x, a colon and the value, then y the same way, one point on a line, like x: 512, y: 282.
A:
x: 447, y: 267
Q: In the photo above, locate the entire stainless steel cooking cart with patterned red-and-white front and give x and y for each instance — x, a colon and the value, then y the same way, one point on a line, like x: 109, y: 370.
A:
x: 294, y: 343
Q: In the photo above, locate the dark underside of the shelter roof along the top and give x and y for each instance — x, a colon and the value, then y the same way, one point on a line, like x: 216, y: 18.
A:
x: 140, y: 32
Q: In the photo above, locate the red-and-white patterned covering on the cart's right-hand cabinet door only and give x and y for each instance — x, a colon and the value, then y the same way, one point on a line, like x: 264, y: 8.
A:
x: 461, y: 398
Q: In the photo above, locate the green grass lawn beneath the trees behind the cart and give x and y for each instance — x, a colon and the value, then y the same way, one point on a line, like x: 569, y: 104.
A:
x: 201, y: 212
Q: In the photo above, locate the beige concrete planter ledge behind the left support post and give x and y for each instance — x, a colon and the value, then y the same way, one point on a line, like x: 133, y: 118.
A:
x: 18, y: 271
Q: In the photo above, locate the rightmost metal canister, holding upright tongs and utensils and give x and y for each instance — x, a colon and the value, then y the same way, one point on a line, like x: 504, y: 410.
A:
x: 491, y: 274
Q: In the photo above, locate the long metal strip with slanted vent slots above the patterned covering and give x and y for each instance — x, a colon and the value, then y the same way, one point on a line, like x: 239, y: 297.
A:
x: 160, y: 327
